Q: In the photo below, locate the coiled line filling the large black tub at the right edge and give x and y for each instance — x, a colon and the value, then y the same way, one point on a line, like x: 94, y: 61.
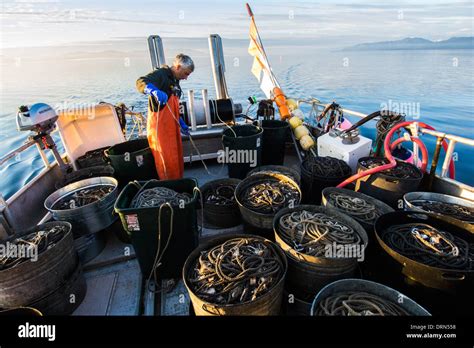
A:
x: 430, y: 246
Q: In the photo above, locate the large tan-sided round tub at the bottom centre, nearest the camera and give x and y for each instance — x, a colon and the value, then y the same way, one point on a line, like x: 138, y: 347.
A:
x: 267, y: 304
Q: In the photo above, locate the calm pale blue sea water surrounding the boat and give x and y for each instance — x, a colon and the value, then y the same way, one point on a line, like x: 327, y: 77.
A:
x: 437, y: 87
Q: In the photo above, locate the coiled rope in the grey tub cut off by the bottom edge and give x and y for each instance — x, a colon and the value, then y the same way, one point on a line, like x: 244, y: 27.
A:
x: 355, y: 303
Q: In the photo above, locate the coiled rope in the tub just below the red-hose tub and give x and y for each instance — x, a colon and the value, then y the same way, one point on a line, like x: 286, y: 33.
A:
x: 356, y: 207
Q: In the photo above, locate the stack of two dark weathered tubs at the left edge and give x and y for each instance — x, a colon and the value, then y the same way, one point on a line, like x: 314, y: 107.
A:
x: 54, y: 284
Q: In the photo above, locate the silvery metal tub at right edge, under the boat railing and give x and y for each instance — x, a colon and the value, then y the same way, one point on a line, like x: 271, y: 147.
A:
x: 411, y: 198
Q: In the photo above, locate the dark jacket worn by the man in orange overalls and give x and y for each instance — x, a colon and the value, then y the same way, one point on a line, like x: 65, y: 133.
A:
x: 161, y: 78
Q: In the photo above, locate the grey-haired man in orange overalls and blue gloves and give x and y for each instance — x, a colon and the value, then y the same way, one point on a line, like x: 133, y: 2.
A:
x: 163, y: 122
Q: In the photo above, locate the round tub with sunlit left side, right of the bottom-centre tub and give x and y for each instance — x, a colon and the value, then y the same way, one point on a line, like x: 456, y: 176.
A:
x: 307, y: 274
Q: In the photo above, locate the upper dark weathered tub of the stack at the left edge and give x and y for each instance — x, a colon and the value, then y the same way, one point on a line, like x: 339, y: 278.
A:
x: 29, y: 281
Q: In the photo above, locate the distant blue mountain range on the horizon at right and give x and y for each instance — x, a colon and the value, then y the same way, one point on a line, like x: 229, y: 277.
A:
x: 416, y: 43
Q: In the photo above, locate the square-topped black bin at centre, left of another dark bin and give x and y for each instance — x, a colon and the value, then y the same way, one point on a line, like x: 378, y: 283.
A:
x: 244, y: 141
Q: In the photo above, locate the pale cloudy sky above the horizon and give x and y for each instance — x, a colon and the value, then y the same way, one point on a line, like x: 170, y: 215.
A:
x: 27, y: 23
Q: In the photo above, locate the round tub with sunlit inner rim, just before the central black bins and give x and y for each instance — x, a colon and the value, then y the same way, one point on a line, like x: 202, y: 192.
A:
x: 262, y: 221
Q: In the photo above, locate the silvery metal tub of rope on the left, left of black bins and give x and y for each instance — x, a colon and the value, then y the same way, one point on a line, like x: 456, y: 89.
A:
x: 90, y: 218
